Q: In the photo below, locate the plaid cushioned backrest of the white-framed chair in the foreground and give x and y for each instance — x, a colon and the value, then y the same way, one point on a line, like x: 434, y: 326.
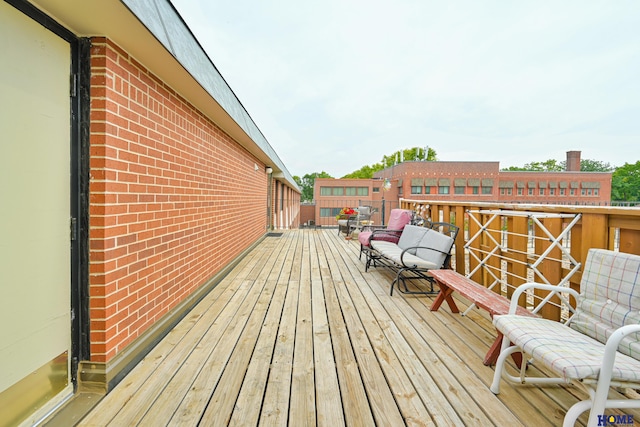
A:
x: 609, y: 297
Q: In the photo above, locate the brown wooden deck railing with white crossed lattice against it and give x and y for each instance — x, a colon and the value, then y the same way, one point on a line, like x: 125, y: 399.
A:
x: 513, y: 243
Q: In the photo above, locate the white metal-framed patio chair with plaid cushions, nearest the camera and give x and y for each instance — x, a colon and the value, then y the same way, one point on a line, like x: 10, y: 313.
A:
x: 597, y: 348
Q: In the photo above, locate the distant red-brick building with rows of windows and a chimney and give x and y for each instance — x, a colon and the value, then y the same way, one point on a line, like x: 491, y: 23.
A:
x: 462, y: 181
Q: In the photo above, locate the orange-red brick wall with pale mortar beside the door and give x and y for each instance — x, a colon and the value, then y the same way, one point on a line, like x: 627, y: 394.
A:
x: 173, y: 199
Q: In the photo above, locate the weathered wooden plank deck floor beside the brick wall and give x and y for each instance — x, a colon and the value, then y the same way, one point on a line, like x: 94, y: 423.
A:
x: 298, y: 334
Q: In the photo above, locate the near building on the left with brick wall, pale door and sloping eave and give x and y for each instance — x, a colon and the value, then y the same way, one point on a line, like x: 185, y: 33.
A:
x: 128, y: 167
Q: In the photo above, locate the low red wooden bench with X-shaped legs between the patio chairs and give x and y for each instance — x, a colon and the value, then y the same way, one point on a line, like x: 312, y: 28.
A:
x: 450, y: 281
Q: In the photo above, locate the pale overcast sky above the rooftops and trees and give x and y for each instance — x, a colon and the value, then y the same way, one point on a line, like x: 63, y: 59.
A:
x: 338, y: 84
